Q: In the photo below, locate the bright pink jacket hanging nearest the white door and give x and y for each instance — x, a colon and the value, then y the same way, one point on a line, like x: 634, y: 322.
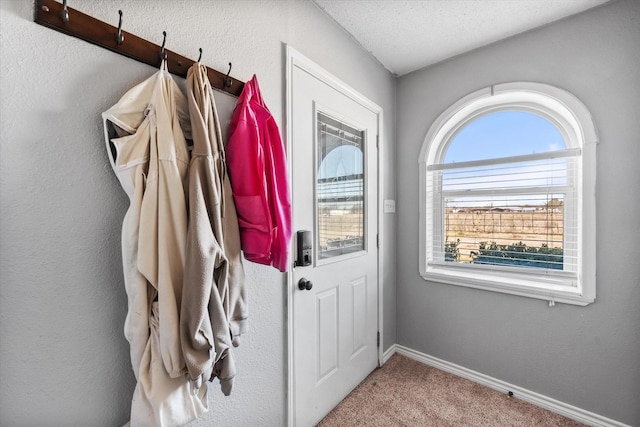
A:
x: 256, y: 163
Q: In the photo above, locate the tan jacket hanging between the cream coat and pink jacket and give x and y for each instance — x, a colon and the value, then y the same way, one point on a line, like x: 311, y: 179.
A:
x: 214, y: 308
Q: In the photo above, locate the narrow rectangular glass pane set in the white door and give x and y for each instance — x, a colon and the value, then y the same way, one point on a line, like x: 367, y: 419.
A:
x: 339, y: 188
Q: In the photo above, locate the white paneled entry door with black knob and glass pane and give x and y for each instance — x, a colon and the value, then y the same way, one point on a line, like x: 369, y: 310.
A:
x: 334, y: 293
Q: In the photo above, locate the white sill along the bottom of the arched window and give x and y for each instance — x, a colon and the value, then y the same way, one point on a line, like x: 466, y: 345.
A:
x: 552, y: 289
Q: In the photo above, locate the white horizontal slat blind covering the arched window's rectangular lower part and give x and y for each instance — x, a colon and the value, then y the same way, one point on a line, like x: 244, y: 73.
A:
x: 516, y: 212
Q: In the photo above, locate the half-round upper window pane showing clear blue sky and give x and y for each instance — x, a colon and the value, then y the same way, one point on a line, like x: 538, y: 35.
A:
x: 503, y: 134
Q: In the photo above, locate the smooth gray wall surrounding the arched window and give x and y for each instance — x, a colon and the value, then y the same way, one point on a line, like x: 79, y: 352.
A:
x: 588, y: 357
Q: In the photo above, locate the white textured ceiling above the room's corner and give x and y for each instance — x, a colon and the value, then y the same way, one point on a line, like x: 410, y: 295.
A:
x: 406, y: 35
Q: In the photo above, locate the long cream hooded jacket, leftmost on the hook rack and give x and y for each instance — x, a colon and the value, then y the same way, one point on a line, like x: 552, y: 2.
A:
x: 145, y: 135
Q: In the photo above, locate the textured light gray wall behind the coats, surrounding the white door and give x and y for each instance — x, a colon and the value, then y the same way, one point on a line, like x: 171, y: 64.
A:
x: 63, y: 357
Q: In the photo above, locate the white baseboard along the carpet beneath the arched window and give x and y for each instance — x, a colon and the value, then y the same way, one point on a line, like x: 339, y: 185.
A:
x: 532, y: 397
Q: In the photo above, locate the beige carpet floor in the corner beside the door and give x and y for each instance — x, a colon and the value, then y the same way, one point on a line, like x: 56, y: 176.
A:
x: 408, y: 393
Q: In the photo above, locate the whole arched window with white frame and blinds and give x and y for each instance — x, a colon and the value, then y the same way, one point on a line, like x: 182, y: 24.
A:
x: 508, y: 187
